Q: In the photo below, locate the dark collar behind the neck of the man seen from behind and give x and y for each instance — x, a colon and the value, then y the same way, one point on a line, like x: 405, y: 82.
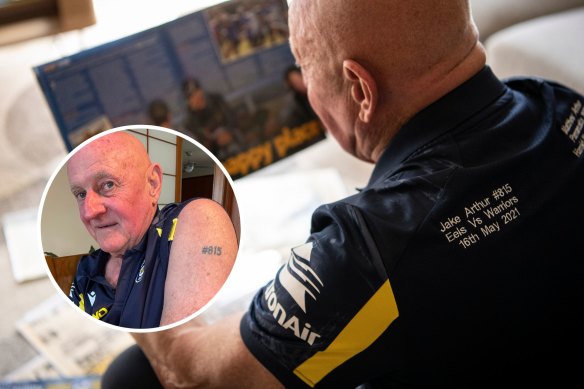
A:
x: 437, y: 119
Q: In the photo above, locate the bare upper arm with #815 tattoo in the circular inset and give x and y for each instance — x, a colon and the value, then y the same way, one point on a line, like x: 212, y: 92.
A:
x: 201, y: 258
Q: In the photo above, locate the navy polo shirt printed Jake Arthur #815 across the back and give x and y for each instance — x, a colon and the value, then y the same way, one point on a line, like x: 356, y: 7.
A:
x: 460, y: 263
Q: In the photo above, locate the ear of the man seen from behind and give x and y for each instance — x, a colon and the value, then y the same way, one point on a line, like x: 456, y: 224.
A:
x: 363, y: 88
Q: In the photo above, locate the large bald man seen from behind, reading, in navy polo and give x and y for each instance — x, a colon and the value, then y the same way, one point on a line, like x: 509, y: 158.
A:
x: 459, y: 264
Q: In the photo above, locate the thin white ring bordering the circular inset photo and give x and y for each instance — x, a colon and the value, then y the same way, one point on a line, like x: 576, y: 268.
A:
x: 42, y: 203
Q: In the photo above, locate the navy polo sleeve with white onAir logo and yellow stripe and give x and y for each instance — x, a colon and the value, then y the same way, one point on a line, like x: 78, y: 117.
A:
x: 315, y: 324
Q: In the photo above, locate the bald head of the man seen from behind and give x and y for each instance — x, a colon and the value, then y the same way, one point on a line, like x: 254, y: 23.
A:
x: 369, y: 66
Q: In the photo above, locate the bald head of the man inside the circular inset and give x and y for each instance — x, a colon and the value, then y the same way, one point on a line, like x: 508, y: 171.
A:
x: 117, y: 190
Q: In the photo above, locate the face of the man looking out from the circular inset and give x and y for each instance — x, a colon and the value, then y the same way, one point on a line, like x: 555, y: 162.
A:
x: 112, y: 197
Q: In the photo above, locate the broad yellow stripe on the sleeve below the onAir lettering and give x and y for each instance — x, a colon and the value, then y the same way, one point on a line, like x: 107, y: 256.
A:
x: 367, y: 325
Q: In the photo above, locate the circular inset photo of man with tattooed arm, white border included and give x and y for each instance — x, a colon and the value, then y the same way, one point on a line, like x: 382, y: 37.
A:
x: 140, y: 227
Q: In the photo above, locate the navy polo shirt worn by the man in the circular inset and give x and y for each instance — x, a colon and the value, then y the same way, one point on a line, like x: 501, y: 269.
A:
x: 139, y: 298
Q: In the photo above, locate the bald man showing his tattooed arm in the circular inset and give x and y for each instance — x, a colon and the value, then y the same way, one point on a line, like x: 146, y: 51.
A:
x: 153, y: 267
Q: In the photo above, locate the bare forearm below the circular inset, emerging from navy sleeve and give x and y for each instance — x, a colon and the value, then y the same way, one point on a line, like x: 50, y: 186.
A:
x: 205, y: 357
